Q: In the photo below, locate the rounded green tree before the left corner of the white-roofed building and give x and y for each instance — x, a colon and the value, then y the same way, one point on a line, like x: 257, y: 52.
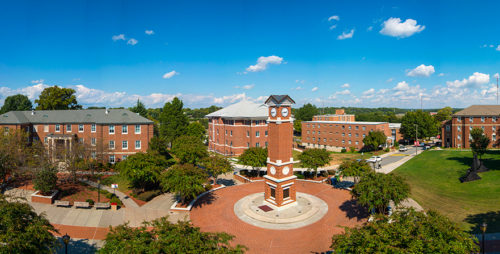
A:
x: 189, y: 149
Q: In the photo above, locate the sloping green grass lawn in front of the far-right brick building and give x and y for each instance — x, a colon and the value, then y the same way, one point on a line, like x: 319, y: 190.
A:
x: 434, y: 180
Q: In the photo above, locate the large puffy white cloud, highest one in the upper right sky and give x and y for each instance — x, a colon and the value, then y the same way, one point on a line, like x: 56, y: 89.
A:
x: 395, y: 28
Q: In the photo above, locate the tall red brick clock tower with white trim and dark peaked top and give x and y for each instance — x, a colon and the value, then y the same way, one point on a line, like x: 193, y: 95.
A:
x: 280, y: 180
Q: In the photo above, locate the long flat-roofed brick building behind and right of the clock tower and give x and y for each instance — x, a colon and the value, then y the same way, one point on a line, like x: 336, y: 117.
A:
x: 337, y: 134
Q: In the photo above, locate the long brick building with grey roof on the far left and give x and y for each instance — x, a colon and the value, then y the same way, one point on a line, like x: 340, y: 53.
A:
x: 113, y: 134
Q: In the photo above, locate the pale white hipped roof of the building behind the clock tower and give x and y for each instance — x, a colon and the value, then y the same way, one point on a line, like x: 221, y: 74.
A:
x: 242, y: 110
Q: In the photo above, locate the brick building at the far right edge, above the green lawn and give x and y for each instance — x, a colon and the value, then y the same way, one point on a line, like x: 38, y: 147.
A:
x: 456, y: 132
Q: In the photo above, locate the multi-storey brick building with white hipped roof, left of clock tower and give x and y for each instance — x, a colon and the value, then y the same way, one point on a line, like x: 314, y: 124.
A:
x: 237, y: 127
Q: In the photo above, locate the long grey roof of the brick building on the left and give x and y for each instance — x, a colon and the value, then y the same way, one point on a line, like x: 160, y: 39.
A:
x: 97, y: 116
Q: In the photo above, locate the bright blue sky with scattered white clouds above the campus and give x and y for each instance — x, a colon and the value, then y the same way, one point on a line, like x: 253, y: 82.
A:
x: 407, y: 54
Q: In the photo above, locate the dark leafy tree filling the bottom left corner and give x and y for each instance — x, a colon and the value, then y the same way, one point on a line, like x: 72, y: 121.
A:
x: 22, y: 230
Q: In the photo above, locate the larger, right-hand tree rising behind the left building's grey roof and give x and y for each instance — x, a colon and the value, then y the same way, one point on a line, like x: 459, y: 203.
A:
x: 57, y: 98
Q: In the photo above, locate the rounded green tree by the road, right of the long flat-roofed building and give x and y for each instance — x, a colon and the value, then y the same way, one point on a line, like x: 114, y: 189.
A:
x: 427, y: 125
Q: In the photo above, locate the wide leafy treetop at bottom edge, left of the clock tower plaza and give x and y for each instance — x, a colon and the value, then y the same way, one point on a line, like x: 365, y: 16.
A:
x: 162, y: 236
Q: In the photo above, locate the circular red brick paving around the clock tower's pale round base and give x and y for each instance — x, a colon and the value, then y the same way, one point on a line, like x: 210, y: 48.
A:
x: 215, y: 213
